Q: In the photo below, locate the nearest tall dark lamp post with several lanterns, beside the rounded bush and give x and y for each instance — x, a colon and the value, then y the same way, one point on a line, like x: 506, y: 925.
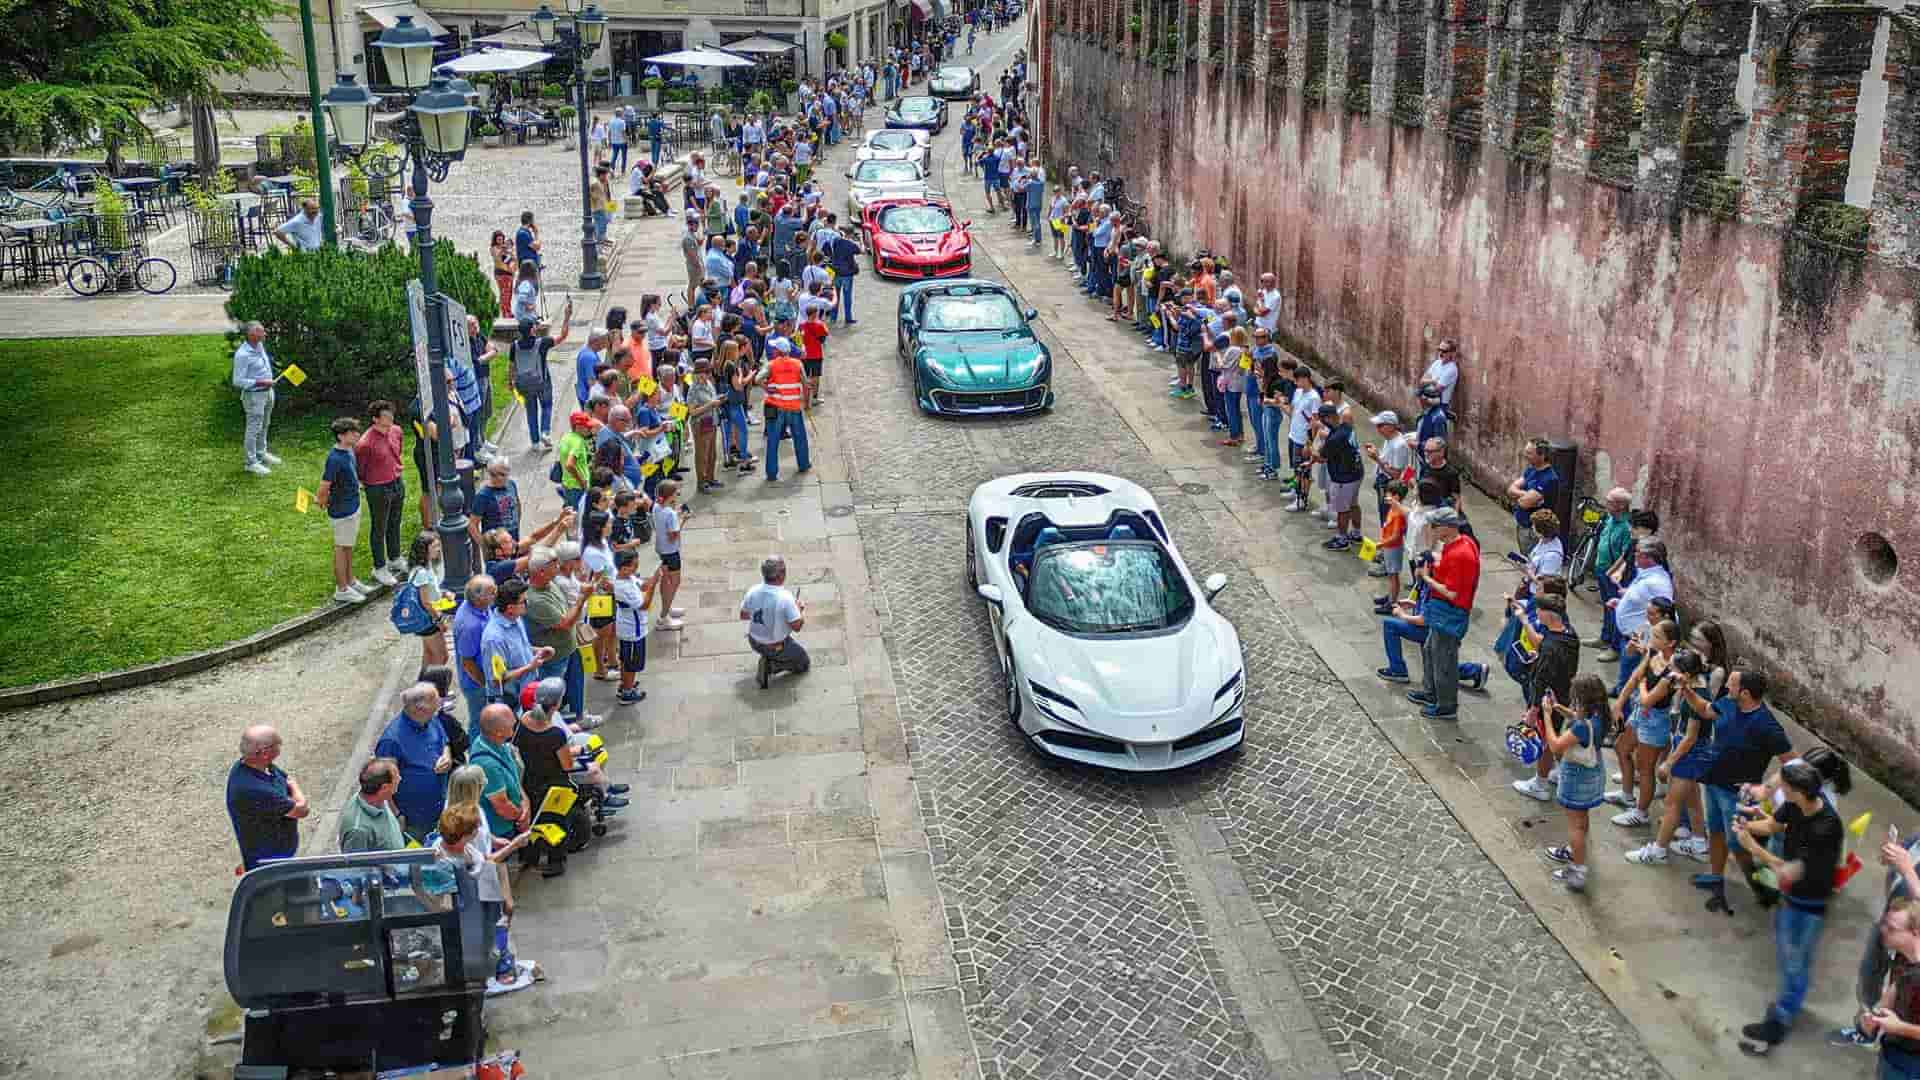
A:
x: 433, y: 135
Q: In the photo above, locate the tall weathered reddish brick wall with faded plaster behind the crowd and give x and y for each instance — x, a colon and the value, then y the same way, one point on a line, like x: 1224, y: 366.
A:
x: 1731, y: 349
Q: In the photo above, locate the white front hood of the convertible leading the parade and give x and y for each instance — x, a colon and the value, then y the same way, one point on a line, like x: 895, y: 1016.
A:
x: 1140, y: 689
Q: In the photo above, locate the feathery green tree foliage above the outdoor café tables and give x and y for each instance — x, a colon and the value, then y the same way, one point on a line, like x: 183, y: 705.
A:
x: 74, y: 72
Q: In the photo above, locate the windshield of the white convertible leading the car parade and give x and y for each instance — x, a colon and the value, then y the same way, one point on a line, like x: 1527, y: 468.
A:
x: 1109, y: 587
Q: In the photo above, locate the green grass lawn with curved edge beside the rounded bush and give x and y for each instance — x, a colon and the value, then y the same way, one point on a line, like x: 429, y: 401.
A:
x: 137, y: 535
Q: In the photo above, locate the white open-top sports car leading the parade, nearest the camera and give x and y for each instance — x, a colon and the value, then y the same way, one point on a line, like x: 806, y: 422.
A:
x: 1111, y: 650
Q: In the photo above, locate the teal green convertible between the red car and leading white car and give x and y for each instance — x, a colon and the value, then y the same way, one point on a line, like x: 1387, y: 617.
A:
x: 972, y: 349
